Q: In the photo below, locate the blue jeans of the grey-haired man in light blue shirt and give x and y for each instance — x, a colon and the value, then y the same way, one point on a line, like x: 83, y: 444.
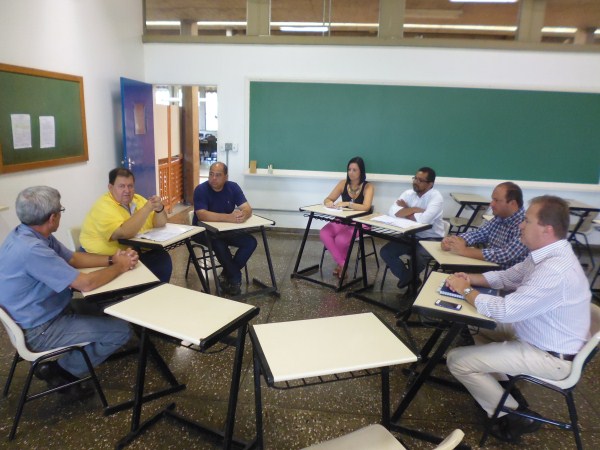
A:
x: 104, y: 334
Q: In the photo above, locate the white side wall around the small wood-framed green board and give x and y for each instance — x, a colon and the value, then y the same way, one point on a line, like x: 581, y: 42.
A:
x: 99, y: 40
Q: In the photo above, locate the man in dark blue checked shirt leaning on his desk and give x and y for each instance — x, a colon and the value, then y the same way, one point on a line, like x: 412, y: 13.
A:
x: 500, y: 235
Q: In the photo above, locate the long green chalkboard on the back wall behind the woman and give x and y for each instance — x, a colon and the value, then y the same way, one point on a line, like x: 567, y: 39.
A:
x: 460, y: 132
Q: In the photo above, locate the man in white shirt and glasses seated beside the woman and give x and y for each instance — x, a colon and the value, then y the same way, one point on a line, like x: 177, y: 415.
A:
x: 423, y: 204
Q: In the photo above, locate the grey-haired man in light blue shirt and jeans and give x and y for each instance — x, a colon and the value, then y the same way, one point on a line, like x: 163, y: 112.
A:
x: 36, y: 274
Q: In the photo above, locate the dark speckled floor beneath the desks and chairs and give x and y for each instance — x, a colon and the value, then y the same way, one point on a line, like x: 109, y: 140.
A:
x: 292, y: 419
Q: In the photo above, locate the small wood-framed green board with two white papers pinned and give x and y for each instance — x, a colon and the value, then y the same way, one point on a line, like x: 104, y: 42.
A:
x: 29, y: 97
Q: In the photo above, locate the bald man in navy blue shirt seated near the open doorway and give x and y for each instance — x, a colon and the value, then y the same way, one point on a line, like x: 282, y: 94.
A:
x: 221, y: 200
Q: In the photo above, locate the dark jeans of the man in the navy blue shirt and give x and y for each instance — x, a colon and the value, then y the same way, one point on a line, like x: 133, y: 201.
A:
x: 232, y: 264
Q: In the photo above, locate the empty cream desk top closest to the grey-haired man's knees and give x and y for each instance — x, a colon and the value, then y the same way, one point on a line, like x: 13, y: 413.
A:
x: 179, y: 312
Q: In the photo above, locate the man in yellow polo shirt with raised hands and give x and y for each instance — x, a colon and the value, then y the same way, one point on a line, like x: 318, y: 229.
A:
x: 121, y: 214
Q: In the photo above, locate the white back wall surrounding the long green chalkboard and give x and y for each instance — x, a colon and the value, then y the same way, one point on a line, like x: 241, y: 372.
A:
x: 230, y: 67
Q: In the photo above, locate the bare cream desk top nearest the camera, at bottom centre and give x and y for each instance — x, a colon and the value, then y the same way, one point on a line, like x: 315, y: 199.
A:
x: 326, y: 346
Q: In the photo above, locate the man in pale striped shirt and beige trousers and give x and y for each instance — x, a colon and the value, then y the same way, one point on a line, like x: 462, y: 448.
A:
x: 543, y: 321
